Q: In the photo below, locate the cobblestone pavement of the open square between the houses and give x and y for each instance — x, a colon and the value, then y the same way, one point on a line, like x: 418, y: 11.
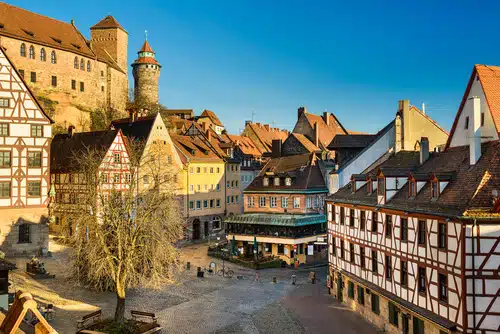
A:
x: 211, y: 304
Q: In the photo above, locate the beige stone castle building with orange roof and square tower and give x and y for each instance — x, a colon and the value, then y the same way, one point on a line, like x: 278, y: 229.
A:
x: 69, y: 74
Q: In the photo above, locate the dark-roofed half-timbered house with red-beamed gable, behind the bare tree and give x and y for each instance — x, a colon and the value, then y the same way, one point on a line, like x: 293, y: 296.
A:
x: 70, y: 178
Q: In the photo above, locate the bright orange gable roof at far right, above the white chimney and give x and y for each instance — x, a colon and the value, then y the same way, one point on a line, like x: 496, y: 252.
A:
x: 489, y: 77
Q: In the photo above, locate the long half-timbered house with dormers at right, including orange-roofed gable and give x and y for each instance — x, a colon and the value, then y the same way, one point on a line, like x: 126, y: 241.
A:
x: 413, y: 242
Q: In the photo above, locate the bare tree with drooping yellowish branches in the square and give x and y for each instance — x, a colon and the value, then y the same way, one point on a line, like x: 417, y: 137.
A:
x: 125, y: 236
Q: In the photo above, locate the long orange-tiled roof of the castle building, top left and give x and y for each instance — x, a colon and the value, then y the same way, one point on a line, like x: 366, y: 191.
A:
x: 32, y: 27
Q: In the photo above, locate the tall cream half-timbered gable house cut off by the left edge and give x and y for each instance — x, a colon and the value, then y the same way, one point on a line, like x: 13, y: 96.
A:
x: 25, y: 132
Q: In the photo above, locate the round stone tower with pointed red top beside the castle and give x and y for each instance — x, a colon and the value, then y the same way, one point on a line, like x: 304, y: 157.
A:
x: 146, y: 71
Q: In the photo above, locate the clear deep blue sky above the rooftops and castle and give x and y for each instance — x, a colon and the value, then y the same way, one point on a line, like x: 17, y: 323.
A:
x: 353, y: 58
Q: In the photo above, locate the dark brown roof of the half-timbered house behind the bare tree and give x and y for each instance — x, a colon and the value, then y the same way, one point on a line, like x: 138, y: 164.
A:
x: 64, y: 147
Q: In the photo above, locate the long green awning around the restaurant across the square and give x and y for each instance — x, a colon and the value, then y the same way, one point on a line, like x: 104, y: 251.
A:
x: 276, y: 219
